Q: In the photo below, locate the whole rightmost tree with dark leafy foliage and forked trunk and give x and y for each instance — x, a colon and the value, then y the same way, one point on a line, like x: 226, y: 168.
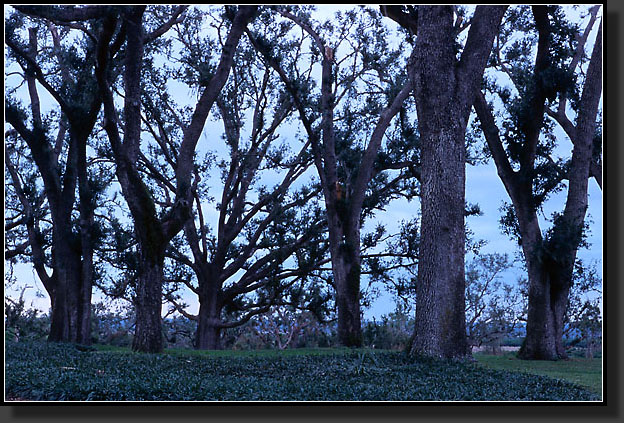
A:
x: 523, y: 152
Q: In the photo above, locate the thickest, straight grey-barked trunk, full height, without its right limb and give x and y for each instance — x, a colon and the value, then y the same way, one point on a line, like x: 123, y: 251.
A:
x: 440, y: 328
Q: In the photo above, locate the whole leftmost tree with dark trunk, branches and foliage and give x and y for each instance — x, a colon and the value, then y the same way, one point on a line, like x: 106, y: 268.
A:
x: 61, y: 162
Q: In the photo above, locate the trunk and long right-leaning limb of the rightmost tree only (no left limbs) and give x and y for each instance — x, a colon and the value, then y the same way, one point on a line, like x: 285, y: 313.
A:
x: 549, y: 290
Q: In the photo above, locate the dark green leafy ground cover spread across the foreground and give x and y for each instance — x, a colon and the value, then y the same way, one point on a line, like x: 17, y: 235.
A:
x: 41, y: 371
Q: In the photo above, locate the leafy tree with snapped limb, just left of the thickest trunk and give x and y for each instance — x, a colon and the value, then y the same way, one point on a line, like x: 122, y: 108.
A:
x: 345, y: 165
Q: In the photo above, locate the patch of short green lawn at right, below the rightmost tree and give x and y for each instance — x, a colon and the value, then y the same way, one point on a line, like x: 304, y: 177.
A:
x: 582, y: 371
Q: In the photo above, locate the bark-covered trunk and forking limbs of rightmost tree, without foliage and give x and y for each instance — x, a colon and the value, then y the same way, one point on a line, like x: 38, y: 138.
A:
x: 550, y: 262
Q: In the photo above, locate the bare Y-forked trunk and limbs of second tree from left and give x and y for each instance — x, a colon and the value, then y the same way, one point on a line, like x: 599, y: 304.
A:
x: 153, y: 231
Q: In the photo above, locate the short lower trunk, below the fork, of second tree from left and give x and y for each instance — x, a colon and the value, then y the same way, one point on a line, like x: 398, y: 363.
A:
x: 148, y: 335
